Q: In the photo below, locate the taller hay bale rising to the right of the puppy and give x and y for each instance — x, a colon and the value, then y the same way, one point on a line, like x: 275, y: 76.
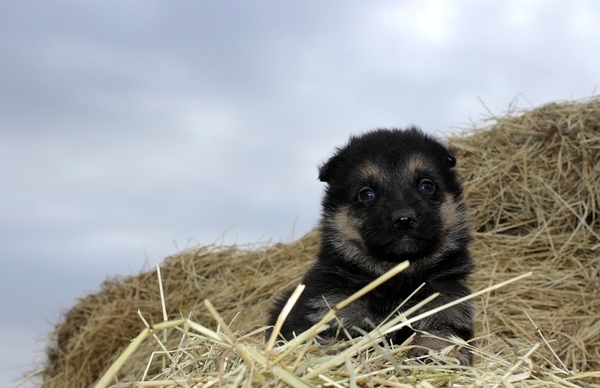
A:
x: 532, y: 182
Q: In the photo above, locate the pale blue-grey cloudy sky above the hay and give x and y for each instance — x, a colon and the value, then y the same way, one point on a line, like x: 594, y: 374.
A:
x: 130, y: 130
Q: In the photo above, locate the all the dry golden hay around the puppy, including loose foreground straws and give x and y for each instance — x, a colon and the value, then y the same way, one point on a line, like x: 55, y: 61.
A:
x: 531, y: 182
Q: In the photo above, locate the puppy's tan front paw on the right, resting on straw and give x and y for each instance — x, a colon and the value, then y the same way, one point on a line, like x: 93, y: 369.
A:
x: 429, y: 349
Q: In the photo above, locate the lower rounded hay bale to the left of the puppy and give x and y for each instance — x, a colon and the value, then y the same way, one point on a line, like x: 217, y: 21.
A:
x: 237, y: 279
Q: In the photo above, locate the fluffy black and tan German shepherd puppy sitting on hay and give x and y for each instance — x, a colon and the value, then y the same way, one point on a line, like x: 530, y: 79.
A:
x: 391, y: 196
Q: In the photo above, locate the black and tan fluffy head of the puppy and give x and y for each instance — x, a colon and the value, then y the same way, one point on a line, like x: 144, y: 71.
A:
x: 391, y: 196
